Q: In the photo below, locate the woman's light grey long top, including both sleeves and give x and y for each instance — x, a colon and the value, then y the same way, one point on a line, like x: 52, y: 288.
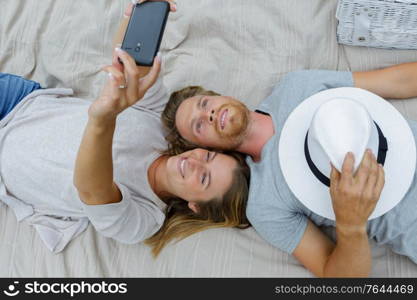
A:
x: 39, y: 141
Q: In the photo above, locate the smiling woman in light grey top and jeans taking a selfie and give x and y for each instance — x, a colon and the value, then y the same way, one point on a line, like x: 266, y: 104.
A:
x: 118, y: 181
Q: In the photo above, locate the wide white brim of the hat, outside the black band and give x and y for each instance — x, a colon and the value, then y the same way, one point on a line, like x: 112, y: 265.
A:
x: 399, y: 165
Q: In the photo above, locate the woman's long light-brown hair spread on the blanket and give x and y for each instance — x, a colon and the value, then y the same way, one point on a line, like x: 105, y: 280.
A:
x: 228, y: 211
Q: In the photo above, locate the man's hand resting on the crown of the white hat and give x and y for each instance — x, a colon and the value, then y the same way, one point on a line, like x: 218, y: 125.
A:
x: 355, y: 196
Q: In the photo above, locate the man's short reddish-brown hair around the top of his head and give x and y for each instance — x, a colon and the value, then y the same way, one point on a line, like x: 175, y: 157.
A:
x: 176, y: 143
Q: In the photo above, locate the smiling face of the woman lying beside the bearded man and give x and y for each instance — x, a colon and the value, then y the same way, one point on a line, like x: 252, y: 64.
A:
x: 200, y: 175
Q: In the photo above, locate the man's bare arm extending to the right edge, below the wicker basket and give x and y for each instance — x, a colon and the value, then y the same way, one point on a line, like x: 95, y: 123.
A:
x: 396, y: 82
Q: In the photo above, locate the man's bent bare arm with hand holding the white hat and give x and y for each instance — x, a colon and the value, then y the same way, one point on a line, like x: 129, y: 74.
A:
x: 354, y: 199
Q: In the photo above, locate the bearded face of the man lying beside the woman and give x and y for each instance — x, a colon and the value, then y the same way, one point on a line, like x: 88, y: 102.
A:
x: 218, y: 122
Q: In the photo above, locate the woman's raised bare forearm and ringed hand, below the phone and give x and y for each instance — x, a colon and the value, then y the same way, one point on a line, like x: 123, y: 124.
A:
x: 93, y: 175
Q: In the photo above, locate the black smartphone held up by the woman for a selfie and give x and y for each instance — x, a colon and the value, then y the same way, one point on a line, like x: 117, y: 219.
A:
x: 145, y: 30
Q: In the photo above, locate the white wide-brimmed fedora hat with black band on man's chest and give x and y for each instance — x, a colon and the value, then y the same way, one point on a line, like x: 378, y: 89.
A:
x: 327, y: 125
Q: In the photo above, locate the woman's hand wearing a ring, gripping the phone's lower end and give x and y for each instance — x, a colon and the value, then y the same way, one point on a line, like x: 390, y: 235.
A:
x: 124, y: 87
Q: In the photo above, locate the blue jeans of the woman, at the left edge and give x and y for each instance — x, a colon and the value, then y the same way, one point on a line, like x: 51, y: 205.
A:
x: 12, y: 90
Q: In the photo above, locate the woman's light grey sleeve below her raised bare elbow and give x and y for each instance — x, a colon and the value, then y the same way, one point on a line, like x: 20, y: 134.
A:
x: 128, y: 221
